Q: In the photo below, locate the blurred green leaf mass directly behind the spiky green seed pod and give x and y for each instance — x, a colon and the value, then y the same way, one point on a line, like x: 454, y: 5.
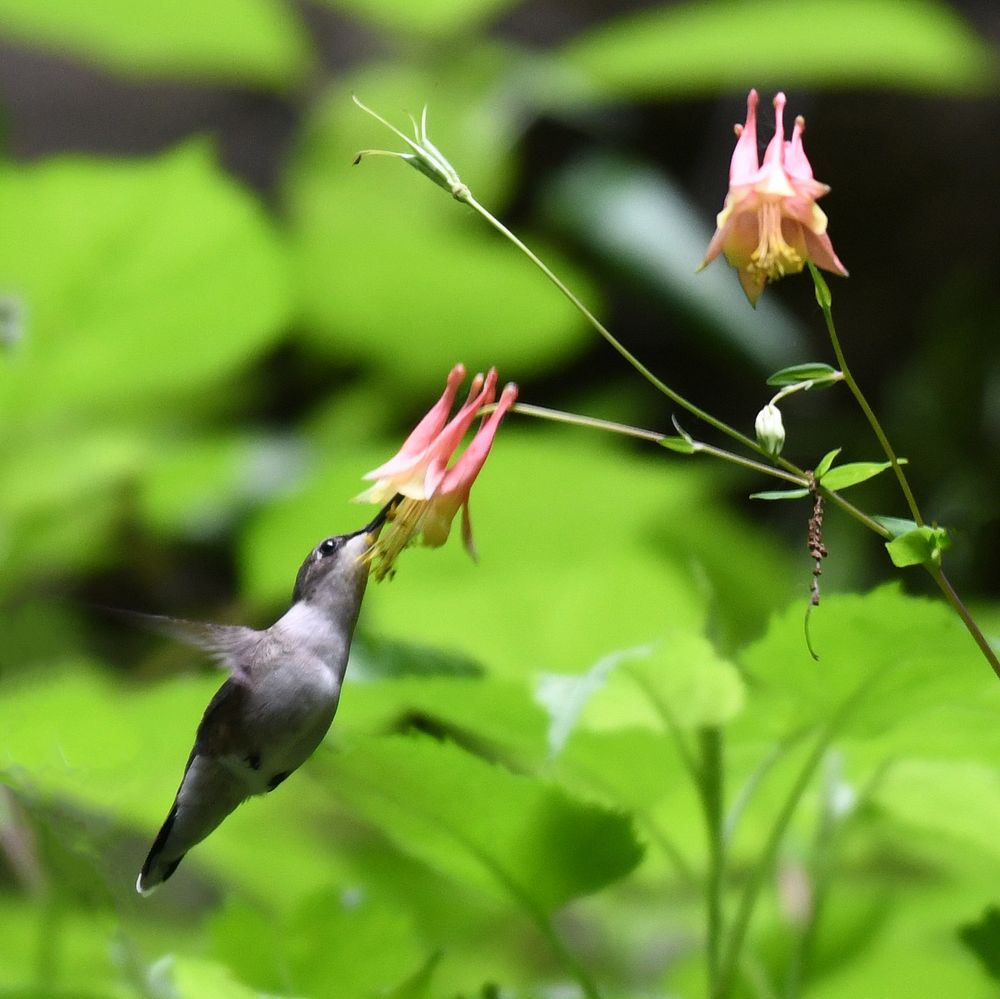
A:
x: 414, y: 310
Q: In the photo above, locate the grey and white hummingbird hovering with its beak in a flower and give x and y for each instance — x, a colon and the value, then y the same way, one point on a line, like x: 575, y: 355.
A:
x: 284, y: 682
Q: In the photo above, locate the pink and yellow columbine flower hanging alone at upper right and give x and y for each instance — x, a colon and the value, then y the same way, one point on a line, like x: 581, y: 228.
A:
x: 770, y: 224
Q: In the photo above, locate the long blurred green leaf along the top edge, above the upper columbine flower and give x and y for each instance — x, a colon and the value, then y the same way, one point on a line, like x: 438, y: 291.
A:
x: 806, y: 44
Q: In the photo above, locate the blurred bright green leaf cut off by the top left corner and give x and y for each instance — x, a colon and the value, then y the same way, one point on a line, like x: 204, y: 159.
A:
x: 236, y: 41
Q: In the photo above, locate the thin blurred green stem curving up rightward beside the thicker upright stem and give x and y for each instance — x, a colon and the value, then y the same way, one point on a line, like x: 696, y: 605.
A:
x: 748, y: 901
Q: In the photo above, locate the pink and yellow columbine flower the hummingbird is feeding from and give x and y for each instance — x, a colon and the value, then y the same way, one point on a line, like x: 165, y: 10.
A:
x: 430, y: 493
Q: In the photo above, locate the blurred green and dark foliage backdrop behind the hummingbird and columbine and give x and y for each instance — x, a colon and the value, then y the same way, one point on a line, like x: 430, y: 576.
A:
x: 212, y: 326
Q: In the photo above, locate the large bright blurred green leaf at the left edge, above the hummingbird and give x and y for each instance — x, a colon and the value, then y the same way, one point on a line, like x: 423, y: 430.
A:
x: 169, y: 278
